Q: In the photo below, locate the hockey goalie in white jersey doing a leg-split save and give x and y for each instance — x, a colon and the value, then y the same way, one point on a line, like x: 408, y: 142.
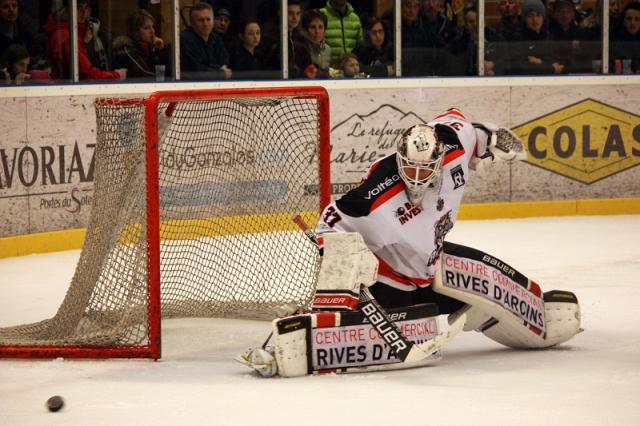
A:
x: 391, y: 291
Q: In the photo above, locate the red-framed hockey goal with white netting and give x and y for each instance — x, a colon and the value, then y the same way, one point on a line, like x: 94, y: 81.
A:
x: 192, y: 217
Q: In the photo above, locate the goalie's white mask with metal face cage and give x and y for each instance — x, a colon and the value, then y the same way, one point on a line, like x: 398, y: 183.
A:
x: 420, y: 156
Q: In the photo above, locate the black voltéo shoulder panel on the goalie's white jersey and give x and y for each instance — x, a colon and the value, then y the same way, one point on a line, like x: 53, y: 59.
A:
x: 359, y: 201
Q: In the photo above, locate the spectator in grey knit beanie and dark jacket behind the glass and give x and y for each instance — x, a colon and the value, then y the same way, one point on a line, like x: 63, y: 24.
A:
x: 532, y: 52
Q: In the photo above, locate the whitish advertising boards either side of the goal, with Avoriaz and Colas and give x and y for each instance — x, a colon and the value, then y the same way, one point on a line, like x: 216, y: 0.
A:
x: 582, y: 142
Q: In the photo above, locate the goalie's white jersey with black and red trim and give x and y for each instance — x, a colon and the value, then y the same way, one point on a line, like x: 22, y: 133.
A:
x: 407, y: 239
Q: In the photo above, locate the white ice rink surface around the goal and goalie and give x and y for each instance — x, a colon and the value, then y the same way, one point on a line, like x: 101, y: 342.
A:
x: 594, y: 379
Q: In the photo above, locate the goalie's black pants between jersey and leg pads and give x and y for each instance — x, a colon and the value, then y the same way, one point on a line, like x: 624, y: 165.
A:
x: 389, y: 297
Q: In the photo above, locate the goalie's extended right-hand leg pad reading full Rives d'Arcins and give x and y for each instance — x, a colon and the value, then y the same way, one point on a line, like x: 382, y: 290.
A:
x: 505, y: 305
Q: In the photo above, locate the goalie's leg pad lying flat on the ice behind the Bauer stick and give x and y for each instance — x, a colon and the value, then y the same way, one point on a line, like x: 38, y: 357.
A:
x: 344, y: 342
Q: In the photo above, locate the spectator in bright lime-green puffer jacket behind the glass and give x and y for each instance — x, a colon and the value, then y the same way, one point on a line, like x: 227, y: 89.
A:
x: 344, y: 29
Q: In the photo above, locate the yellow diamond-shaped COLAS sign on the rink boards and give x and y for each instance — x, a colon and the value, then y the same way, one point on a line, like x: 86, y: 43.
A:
x: 587, y: 141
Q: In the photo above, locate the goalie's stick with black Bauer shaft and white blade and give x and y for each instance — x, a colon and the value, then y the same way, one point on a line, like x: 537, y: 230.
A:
x: 402, y: 347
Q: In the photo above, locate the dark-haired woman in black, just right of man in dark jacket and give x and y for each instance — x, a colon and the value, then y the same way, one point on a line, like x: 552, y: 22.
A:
x: 246, y: 64
